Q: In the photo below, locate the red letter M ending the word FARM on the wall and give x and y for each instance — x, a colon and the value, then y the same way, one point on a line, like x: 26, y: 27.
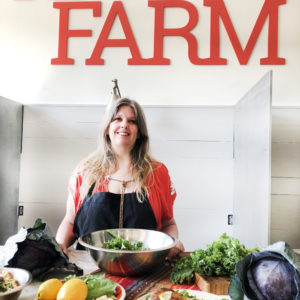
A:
x: 269, y: 9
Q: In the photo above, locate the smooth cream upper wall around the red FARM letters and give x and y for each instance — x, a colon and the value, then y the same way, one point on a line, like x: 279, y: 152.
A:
x: 29, y: 35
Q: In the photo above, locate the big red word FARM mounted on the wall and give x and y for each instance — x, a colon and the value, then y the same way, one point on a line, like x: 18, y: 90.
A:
x: 218, y: 14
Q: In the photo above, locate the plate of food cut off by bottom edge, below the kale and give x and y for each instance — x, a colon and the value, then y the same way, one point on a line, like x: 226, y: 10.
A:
x: 169, y: 294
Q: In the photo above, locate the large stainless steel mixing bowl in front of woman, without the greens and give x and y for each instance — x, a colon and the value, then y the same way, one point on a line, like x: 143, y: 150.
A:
x: 124, y: 262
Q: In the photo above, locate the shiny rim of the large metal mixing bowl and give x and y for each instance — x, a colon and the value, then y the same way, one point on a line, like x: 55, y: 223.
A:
x: 91, y: 247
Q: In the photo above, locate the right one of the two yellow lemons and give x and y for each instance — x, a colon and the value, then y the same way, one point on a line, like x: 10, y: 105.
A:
x: 73, y: 289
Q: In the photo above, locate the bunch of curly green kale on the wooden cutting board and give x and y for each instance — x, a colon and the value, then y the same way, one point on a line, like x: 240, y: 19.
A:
x: 219, y: 259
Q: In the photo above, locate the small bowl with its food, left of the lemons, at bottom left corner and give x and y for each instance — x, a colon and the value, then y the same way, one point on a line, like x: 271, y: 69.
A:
x: 12, y: 282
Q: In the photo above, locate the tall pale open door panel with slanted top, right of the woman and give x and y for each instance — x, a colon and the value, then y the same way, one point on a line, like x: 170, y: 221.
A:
x: 252, y: 165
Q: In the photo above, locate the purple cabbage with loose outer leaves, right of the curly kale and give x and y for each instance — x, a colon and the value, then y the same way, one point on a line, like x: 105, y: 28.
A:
x: 271, y: 274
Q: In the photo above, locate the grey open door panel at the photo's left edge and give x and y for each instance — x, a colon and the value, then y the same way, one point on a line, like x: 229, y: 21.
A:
x: 10, y: 149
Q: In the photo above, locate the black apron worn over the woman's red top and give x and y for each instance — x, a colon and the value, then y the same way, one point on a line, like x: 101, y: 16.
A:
x: 101, y: 211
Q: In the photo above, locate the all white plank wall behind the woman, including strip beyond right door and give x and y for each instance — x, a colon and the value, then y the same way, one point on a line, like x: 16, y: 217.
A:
x: 56, y: 138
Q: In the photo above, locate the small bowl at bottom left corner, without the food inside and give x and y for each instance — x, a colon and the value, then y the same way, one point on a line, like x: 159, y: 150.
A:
x: 23, y: 277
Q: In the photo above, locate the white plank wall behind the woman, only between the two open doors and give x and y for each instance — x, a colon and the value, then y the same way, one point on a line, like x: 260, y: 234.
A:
x: 195, y: 143
